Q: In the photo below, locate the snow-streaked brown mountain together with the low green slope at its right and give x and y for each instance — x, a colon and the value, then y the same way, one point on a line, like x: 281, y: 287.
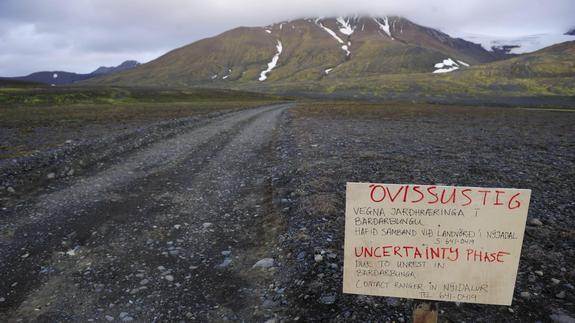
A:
x: 369, y: 57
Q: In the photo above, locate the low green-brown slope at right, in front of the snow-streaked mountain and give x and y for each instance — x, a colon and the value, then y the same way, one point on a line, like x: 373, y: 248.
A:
x: 545, y: 73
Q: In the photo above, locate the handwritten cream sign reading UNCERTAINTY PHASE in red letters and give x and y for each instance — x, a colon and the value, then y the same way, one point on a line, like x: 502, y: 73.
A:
x: 445, y: 243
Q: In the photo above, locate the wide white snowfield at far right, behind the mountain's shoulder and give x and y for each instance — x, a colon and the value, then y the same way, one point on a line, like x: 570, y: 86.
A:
x: 516, y: 45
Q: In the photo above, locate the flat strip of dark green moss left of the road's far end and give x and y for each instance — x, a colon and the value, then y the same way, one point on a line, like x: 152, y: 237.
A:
x: 78, y: 105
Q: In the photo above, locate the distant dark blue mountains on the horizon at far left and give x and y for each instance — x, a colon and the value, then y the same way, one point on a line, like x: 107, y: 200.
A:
x: 62, y: 77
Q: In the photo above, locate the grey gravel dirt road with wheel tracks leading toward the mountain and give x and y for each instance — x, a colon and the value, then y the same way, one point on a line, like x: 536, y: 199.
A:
x: 171, y: 232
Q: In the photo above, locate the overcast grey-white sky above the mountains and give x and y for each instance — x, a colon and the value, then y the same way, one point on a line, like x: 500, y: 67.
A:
x: 80, y: 35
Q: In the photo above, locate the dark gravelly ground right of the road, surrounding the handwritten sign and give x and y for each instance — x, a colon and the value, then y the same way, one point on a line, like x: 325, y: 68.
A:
x: 323, y: 146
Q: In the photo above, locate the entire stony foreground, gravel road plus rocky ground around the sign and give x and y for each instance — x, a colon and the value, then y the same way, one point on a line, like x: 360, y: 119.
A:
x: 239, y: 216
